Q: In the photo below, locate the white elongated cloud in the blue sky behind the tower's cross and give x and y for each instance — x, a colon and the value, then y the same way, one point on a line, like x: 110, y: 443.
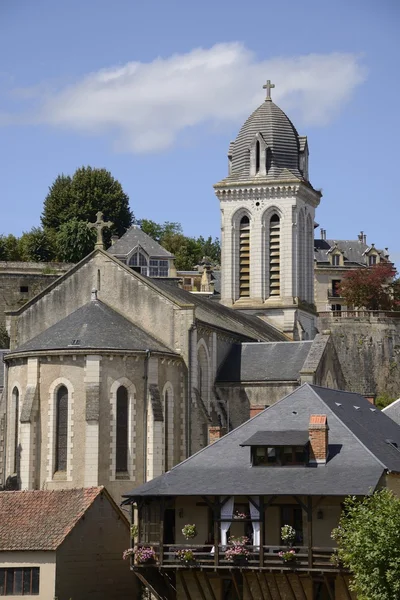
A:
x: 147, y: 105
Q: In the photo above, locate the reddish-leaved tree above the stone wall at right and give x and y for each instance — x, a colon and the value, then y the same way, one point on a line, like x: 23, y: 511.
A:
x: 371, y: 288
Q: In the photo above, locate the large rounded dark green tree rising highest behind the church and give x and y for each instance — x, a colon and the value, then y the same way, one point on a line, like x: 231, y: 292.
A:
x: 81, y: 196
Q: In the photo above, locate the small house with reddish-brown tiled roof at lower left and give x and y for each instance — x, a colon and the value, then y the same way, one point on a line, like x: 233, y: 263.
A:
x: 63, y: 544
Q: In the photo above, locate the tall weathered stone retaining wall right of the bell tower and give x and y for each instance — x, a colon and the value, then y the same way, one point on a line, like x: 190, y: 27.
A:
x: 368, y: 349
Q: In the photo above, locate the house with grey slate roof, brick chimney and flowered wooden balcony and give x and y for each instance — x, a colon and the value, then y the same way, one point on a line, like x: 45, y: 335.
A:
x: 291, y: 464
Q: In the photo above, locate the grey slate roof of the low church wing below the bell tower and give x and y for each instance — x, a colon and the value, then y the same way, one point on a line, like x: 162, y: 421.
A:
x: 268, y: 361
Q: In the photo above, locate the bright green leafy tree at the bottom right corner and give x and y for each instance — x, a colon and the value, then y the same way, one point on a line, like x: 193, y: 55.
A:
x: 368, y: 539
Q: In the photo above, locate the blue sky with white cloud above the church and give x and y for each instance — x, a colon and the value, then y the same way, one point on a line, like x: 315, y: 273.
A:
x: 155, y: 90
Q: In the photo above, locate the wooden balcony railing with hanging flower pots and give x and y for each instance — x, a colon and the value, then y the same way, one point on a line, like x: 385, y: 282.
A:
x: 266, y: 558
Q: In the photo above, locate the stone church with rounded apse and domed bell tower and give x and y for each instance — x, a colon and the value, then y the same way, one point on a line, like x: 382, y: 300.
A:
x: 115, y: 373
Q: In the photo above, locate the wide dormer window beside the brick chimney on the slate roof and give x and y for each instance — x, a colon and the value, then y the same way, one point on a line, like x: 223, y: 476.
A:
x: 278, y: 448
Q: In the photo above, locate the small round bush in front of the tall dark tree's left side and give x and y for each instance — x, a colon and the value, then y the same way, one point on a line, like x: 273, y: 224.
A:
x: 74, y: 240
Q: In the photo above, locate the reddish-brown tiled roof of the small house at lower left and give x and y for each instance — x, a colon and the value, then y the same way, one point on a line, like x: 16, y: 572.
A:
x: 39, y: 519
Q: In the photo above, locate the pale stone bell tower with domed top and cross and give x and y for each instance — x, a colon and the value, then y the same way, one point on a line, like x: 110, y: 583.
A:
x: 267, y: 223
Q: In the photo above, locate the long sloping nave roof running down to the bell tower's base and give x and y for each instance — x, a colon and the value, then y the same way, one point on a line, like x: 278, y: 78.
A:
x: 217, y: 315
